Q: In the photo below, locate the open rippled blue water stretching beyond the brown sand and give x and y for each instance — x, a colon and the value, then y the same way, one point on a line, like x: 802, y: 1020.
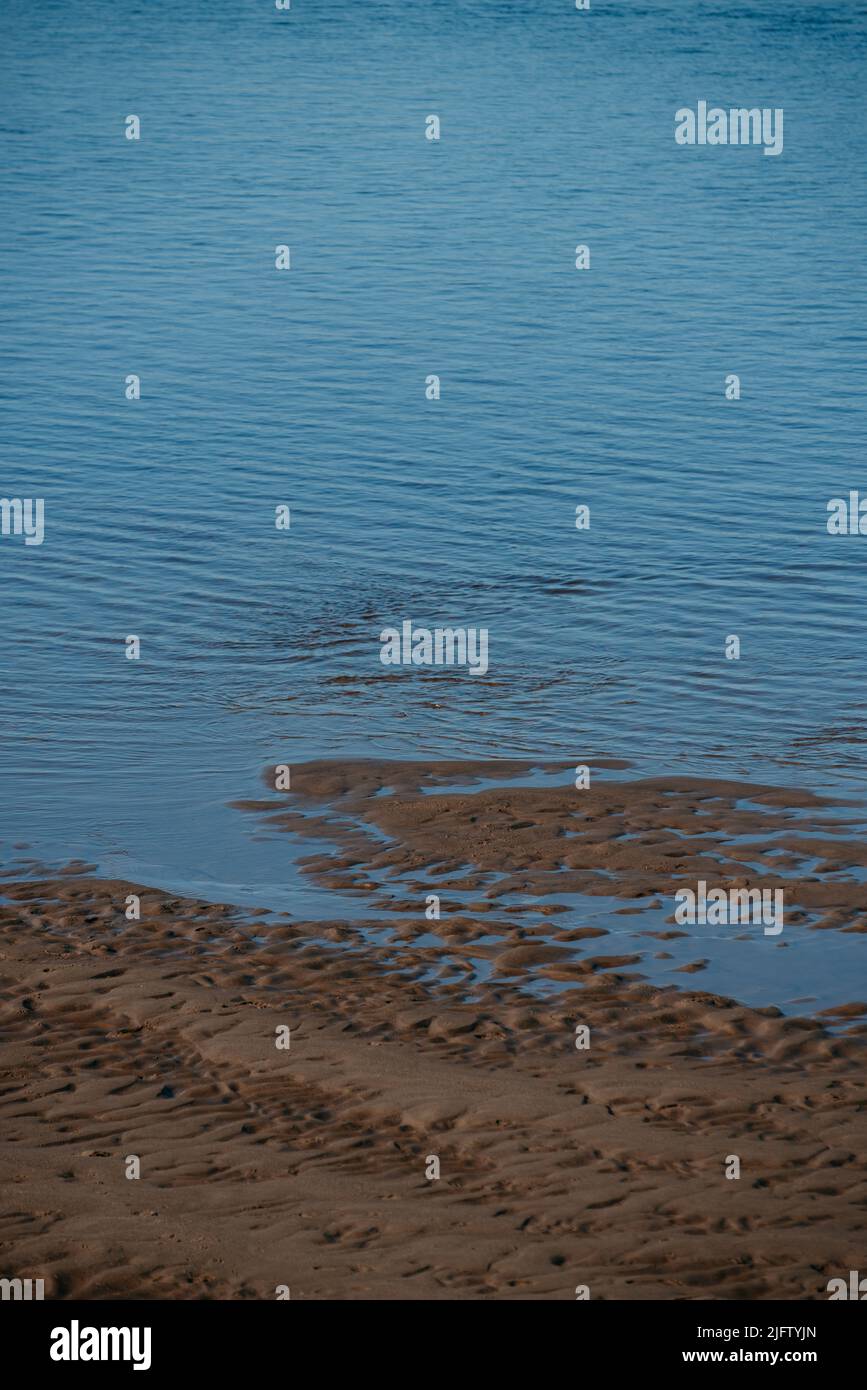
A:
x: 308, y: 389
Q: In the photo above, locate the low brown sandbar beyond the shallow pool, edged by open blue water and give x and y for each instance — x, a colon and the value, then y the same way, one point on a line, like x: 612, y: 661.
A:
x: 620, y: 839
